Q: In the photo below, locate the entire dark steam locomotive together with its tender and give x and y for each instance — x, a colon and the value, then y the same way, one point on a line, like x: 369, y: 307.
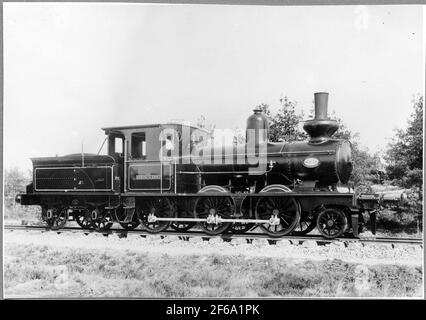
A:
x: 164, y: 175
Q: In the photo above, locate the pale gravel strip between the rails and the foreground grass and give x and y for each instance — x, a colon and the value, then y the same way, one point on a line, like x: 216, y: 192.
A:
x: 400, y: 254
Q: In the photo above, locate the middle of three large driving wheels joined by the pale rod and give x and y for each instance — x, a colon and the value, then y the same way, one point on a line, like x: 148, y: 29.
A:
x: 214, y: 206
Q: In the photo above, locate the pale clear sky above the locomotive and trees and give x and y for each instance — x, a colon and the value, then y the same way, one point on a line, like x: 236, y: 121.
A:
x: 71, y: 69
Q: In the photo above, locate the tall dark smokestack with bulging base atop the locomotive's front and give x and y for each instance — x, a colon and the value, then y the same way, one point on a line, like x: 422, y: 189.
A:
x: 321, y: 128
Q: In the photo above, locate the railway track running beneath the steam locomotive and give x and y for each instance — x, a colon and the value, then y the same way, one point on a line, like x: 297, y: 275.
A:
x: 249, y: 236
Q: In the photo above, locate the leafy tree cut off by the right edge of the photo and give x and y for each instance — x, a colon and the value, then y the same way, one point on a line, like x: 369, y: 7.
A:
x: 405, y: 152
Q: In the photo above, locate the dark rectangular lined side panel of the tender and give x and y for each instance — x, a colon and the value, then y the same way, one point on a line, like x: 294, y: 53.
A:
x: 73, y: 178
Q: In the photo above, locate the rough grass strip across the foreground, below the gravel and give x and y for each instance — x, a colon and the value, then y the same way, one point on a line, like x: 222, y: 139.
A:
x: 41, y: 271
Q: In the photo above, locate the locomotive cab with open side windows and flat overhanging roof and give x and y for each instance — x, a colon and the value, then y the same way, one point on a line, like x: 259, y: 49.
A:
x: 149, y: 154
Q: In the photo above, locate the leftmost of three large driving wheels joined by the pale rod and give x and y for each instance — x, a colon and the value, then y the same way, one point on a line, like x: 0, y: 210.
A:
x: 159, y: 207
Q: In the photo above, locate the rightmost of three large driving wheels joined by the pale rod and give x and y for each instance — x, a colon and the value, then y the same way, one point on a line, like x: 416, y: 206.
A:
x: 286, y: 209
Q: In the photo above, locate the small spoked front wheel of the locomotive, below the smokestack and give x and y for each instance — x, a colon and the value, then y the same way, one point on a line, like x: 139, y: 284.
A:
x: 332, y: 223
